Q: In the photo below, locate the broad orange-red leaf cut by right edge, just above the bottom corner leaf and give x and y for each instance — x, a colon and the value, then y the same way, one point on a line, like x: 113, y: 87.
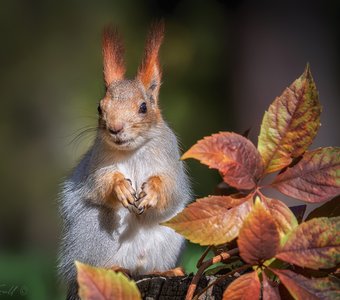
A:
x: 314, y: 244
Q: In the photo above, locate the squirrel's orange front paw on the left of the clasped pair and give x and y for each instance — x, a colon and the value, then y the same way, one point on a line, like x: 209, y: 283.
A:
x: 125, y: 193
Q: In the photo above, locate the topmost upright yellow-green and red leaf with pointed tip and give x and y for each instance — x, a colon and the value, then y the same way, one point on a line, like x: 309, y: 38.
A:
x: 290, y: 124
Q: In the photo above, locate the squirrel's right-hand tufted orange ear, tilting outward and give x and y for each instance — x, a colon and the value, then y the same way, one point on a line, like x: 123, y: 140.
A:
x: 149, y: 72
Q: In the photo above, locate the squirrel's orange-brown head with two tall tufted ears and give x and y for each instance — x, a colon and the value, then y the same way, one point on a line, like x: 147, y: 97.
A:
x: 129, y: 112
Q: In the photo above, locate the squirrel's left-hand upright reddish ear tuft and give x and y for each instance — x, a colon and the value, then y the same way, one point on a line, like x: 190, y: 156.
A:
x: 113, y: 55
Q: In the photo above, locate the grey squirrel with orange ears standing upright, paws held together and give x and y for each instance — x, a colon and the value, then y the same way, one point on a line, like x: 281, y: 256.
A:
x: 130, y: 180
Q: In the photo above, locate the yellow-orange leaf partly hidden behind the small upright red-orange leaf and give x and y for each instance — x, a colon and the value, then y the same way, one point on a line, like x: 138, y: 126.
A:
x: 284, y: 218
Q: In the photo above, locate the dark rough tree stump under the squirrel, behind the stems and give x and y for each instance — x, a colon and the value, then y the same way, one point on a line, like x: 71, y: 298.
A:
x: 175, y: 288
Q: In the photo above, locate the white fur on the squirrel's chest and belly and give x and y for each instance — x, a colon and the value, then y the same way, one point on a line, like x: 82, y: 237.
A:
x: 144, y: 245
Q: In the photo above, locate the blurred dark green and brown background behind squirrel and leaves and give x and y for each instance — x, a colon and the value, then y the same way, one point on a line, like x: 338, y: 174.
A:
x: 223, y: 63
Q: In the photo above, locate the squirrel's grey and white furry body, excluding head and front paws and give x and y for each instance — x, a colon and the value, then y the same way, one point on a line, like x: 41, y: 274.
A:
x: 99, y: 235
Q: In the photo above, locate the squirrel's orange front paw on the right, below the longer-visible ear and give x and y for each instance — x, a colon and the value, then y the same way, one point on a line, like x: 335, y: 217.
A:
x: 150, y: 194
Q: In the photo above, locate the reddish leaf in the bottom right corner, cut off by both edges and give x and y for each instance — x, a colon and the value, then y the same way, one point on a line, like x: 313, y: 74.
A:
x: 304, y: 288
